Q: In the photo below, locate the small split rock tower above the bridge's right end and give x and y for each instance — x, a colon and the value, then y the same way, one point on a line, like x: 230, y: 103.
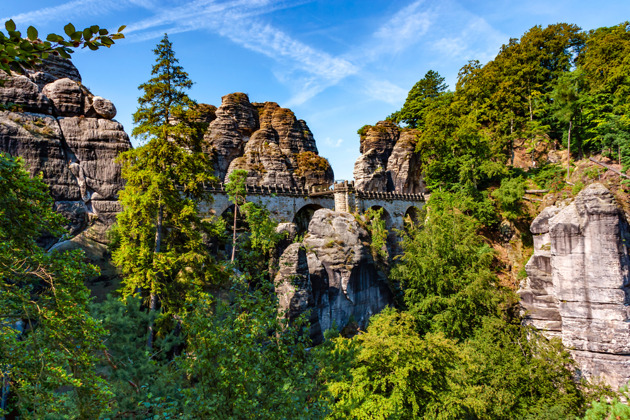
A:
x: 388, y: 162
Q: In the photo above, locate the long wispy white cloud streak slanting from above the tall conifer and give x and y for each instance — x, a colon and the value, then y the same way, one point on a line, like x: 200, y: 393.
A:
x: 306, y: 69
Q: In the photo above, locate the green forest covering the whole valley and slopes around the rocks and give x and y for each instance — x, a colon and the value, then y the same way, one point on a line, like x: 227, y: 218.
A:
x: 192, y: 333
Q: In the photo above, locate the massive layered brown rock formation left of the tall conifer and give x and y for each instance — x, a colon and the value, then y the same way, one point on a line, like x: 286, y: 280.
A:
x: 67, y: 134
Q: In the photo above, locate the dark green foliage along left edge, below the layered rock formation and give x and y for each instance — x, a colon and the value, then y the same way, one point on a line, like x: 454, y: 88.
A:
x: 48, y: 339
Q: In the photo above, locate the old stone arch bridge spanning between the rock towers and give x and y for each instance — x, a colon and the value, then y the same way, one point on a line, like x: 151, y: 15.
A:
x: 297, y: 205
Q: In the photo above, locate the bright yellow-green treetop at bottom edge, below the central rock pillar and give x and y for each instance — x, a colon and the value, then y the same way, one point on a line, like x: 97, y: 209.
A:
x: 389, y: 371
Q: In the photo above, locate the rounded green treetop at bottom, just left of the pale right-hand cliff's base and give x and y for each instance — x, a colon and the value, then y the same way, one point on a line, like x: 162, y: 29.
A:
x: 512, y: 371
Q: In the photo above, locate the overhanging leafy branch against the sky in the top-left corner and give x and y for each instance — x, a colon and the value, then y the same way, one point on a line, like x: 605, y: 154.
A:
x: 17, y: 53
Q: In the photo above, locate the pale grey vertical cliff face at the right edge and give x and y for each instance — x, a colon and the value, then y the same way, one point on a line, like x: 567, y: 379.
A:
x: 578, y: 285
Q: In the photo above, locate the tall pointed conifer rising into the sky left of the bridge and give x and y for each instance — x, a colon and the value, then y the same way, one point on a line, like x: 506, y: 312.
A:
x: 161, y: 251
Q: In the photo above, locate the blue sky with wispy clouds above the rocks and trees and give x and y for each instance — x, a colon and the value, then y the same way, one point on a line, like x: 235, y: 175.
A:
x: 337, y: 64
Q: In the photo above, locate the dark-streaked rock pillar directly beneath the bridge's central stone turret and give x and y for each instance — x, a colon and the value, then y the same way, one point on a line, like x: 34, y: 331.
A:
x: 333, y: 274
